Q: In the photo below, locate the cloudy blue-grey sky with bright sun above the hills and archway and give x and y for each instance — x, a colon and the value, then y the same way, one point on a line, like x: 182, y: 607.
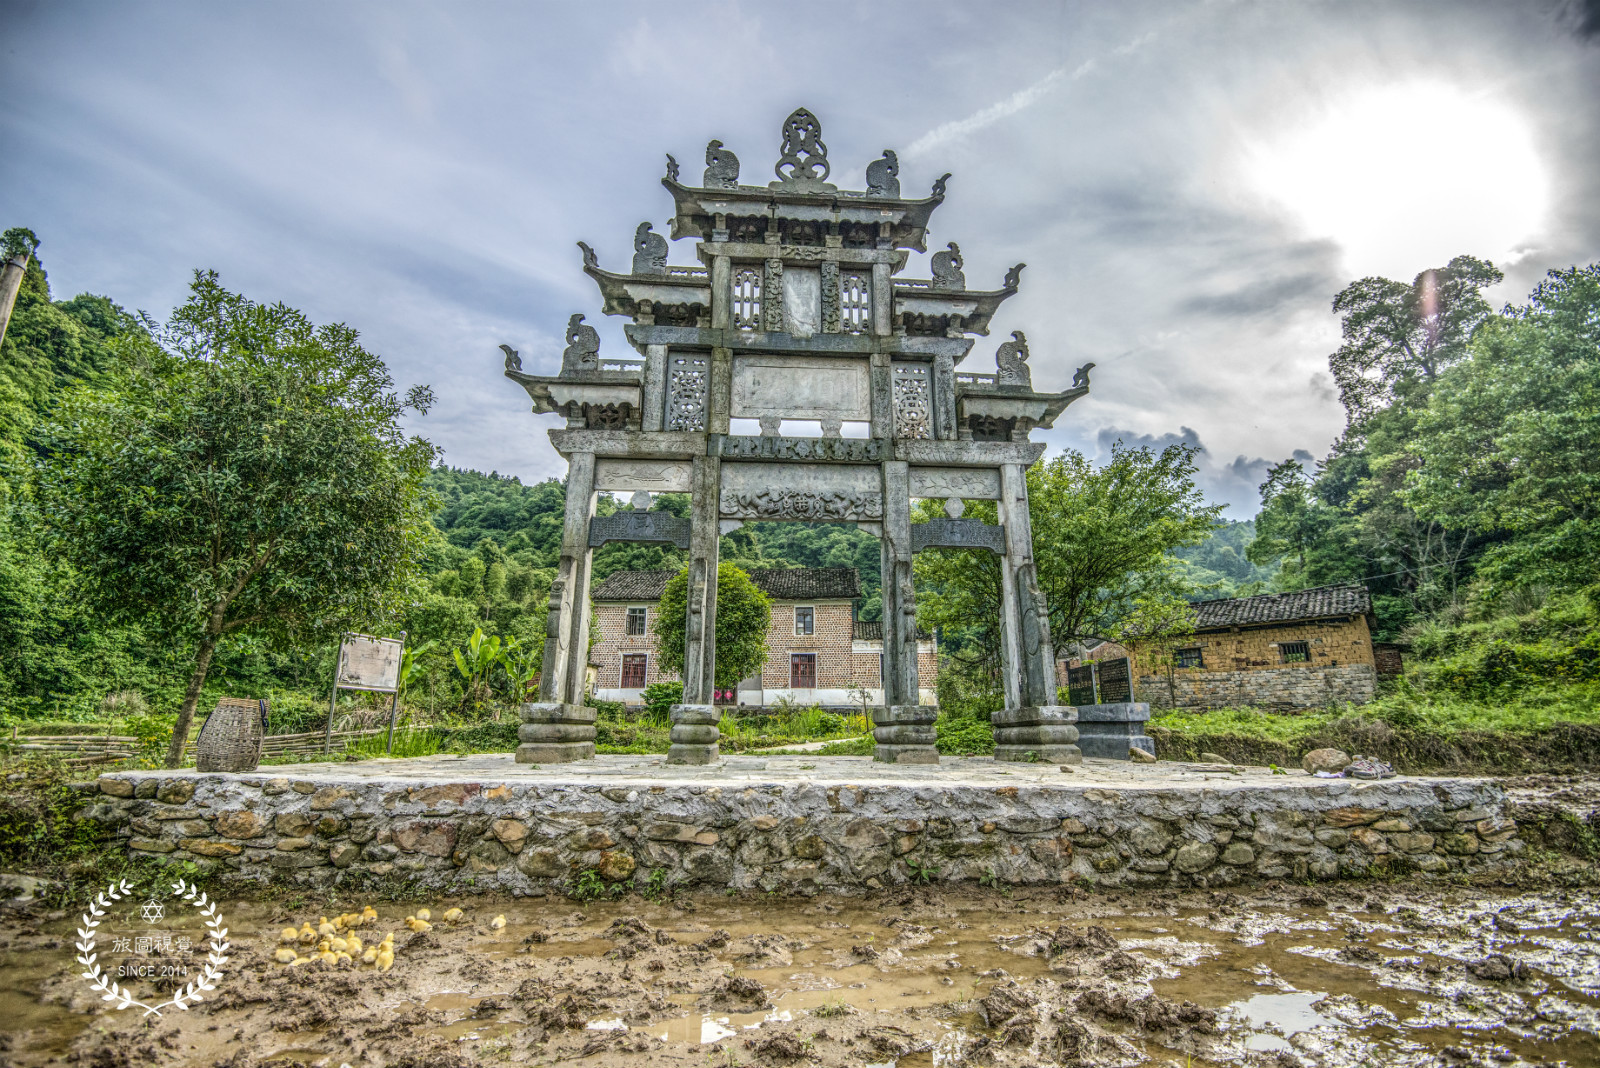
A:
x: 1188, y: 183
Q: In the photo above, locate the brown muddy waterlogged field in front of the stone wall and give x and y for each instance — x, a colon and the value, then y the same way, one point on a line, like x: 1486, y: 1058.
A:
x: 1364, y: 976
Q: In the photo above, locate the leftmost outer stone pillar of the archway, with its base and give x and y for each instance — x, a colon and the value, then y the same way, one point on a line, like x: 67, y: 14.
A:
x: 559, y: 727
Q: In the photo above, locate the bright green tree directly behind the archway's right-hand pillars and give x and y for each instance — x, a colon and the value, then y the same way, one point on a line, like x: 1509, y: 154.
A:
x: 1103, y: 543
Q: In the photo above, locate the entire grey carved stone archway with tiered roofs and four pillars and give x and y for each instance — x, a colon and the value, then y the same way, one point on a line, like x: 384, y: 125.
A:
x: 798, y: 316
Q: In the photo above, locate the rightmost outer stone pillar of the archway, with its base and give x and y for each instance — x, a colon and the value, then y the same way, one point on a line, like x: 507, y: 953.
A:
x: 1031, y: 727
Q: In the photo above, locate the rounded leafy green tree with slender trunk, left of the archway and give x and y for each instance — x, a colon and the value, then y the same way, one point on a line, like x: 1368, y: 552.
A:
x: 241, y: 472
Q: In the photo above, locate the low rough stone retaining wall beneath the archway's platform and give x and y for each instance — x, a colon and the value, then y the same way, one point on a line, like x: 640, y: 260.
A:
x: 530, y: 839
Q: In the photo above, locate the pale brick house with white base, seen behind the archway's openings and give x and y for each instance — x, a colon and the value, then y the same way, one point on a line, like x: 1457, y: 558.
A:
x: 817, y: 652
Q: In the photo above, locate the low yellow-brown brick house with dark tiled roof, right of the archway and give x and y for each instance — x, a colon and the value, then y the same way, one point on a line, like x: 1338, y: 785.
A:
x: 1300, y: 650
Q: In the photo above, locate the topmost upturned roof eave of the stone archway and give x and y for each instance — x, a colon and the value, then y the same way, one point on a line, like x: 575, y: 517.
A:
x: 695, y: 210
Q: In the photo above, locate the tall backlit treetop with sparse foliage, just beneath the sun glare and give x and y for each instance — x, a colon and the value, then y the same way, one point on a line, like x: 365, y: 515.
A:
x: 1399, y: 338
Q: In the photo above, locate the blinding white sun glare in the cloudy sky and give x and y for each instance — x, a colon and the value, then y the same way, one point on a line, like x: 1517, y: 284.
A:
x: 1407, y: 177
